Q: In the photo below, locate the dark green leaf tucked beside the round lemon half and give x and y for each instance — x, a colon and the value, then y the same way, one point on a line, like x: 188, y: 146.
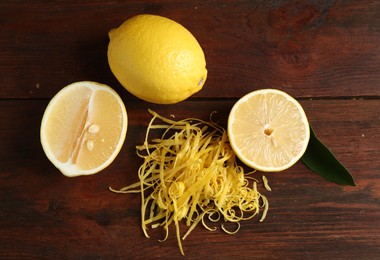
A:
x: 323, y: 162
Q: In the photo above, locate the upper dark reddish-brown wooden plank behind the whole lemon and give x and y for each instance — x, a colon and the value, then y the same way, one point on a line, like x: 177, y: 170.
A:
x: 307, y: 48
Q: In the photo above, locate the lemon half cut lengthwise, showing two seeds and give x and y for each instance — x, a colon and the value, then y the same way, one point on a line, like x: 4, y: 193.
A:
x: 83, y: 128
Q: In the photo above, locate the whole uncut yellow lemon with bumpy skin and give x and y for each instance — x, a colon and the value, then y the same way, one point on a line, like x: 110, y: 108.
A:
x: 156, y: 59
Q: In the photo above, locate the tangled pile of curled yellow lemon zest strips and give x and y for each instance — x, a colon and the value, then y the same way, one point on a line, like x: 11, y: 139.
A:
x: 192, y: 175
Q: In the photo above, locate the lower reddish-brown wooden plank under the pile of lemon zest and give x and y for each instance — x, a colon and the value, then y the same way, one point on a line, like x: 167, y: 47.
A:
x: 44, y: 214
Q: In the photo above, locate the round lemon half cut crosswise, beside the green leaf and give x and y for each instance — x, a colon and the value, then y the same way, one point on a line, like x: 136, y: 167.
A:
x: 268, y: 130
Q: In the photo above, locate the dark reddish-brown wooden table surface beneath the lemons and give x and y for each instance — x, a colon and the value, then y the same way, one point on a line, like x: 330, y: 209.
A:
x: 324, y: 53
